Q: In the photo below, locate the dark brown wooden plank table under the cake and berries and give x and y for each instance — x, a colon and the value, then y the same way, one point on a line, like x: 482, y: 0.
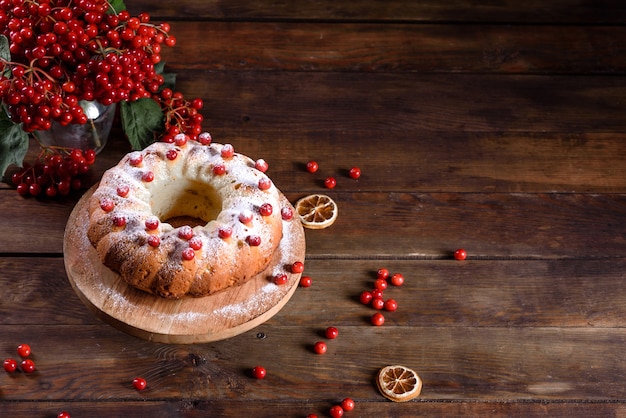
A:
x: 499, y: 128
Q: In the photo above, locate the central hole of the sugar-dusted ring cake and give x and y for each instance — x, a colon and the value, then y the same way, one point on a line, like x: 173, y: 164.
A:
x: 186, y: 202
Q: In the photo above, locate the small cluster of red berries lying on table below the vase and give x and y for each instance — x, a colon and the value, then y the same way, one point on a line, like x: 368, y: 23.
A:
x: 57, y: 171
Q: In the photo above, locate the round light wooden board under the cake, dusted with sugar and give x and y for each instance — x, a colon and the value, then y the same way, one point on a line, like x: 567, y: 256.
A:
x: 184, y: 321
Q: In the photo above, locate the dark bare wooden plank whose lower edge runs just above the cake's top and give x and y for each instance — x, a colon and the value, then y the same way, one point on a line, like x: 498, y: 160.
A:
x: 424, y: 104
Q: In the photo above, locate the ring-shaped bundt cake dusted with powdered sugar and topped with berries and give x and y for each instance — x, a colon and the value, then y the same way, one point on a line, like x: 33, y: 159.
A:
x: 170, y: 182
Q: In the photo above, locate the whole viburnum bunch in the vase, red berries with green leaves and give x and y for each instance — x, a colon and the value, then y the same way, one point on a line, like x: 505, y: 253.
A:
x: 55, y: 55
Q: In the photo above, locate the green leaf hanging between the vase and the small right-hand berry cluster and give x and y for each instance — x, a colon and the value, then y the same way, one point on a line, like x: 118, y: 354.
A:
x: 141, y: 121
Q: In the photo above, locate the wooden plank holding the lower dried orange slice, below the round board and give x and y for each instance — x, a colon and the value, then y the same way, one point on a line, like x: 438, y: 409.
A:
x: 455, y: 363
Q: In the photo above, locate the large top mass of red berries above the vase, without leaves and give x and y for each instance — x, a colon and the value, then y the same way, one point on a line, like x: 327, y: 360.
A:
x: 64, y: 51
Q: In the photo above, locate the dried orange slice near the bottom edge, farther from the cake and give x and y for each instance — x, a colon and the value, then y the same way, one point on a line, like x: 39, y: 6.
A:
x: 398, y: 383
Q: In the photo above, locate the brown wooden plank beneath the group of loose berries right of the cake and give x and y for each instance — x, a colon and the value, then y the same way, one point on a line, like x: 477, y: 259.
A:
x: 494, y: 293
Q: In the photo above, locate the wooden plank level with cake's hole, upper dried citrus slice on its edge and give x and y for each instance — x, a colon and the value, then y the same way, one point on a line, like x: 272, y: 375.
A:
x: 429, y: 225
